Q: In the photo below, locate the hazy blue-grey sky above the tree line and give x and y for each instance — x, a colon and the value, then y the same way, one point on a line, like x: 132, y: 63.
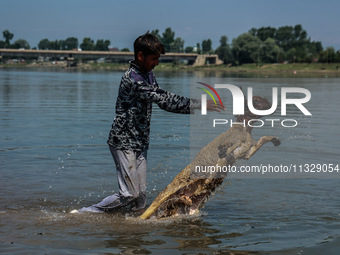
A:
x: 122, y: 21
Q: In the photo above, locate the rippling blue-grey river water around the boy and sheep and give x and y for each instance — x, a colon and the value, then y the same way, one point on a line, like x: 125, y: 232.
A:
x: 54, y: 158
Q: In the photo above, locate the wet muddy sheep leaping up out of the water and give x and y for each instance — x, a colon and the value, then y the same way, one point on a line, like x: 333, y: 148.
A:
x: 190, y: 189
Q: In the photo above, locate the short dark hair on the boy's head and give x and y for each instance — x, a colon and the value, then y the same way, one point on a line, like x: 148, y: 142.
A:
x: 148, y: 44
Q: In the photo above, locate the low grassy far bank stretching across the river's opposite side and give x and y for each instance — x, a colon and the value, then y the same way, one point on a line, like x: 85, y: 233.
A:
x: 323, y: 69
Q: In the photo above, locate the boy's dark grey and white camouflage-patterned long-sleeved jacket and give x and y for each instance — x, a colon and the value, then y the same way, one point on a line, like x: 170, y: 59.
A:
x: 137, y: 91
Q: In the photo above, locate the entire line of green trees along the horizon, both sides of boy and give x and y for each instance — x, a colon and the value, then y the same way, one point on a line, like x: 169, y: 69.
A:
x: 258, y: 45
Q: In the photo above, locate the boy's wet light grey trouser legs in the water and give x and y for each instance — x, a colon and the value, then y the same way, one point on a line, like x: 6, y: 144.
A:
x: 131, y: 173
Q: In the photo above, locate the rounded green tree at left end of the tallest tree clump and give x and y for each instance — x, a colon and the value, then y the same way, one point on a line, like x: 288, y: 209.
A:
x: 245, y: 48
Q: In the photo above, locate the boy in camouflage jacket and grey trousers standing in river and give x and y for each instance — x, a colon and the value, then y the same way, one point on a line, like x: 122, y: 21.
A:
x: 129, y: 136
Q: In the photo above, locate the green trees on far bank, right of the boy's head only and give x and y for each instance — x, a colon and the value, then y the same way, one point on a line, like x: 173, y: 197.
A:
x: 258, y: 45
